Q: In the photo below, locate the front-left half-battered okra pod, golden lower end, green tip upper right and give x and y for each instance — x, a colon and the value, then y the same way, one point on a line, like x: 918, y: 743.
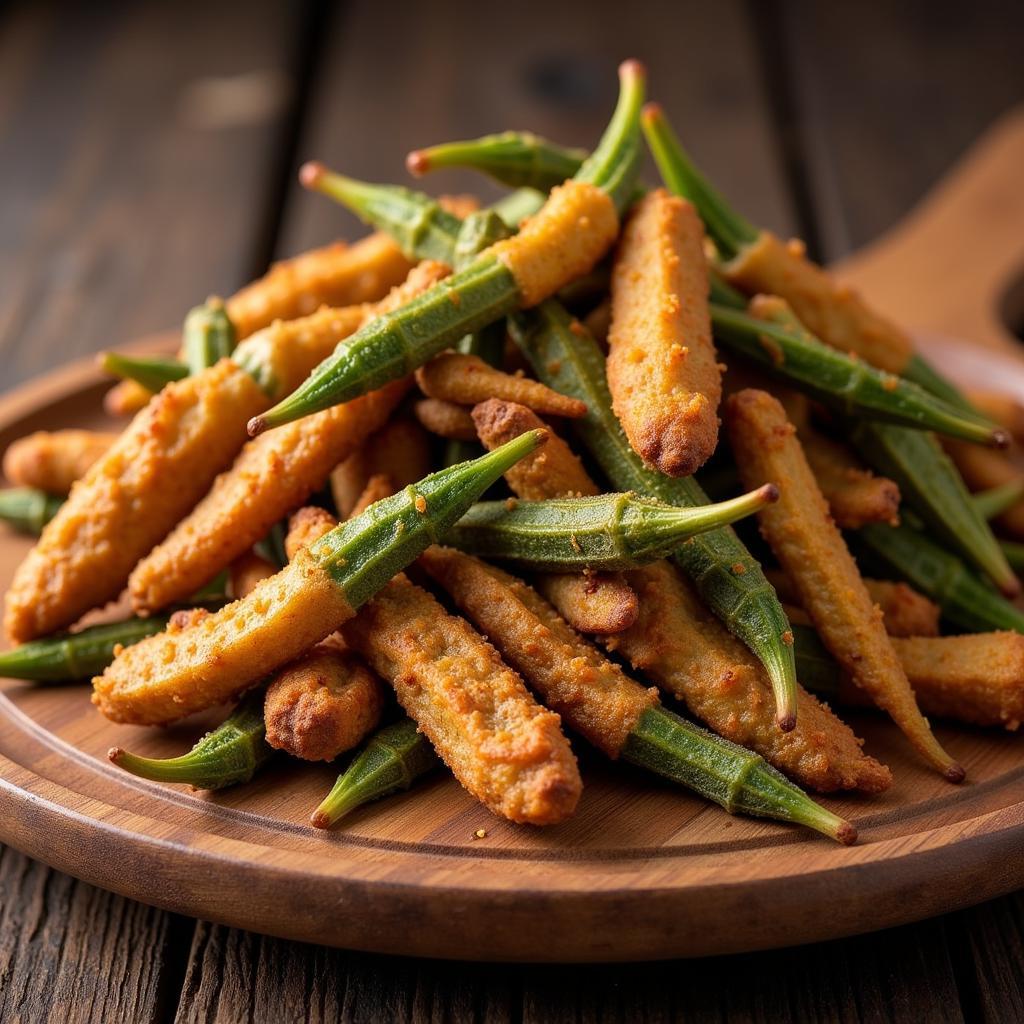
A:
x: 175, y: 674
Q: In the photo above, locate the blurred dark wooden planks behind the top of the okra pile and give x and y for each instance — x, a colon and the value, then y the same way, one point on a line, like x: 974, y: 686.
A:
x: 149, y: 151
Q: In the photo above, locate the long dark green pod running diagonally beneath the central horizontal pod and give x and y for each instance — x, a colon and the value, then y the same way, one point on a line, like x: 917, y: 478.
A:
x: 732, y: 583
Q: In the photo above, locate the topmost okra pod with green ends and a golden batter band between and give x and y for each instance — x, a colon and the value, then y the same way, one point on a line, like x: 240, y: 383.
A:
x: 568, y: 237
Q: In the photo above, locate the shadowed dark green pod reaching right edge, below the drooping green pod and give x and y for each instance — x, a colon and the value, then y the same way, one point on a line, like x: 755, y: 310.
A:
x: 966, y: 600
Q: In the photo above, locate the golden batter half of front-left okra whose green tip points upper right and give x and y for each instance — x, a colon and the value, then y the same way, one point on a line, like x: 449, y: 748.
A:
x: 178, y: 673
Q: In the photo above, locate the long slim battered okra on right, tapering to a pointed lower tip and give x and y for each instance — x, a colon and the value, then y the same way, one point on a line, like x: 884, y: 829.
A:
x: 813, y: 551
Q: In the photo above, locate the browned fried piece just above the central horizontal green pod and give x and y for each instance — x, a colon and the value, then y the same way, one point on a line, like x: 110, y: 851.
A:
x: 551, y: 472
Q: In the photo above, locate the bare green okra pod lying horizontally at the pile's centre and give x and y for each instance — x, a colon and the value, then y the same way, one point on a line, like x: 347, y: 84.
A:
x: 605, y: 533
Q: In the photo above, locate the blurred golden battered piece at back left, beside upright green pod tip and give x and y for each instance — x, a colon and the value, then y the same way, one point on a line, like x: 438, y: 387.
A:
x: 338, y: 275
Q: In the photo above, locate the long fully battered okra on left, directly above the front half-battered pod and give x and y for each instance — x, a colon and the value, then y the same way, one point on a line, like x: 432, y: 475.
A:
x: 275, y: 474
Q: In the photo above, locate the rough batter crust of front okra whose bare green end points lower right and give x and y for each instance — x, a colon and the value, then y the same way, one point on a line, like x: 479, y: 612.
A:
x: 593, y: 697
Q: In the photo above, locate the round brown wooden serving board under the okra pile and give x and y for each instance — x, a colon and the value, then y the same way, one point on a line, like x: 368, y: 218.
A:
x: 643, y: 871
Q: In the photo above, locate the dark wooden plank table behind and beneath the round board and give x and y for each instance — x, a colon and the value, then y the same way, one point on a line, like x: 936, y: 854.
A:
x: 148, y: 157
